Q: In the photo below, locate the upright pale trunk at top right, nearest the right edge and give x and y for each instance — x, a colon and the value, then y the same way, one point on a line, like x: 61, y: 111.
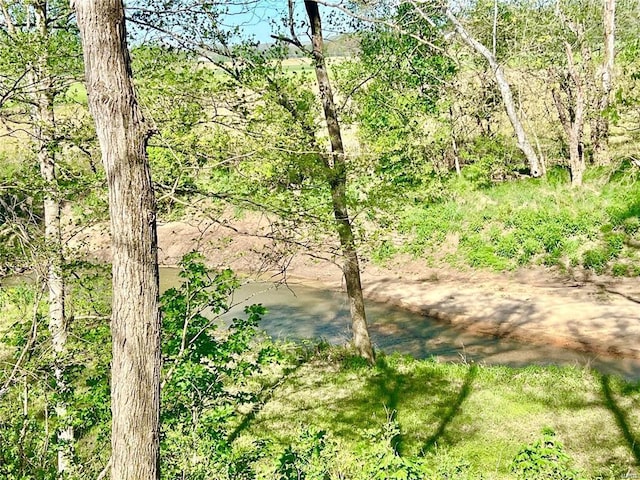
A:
x: 600, y: 125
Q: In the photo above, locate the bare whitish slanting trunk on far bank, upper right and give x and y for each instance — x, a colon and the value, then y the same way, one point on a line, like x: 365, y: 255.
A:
x: 505, y: 91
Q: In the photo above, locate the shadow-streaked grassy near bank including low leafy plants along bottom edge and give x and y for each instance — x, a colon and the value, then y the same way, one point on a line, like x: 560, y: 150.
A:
x: 335, y: 418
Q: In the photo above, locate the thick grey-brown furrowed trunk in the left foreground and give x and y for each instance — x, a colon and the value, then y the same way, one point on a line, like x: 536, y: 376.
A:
x: 135, y: 321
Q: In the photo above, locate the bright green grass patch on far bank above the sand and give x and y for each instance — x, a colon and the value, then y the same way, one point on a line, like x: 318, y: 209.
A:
x: 519, y: 223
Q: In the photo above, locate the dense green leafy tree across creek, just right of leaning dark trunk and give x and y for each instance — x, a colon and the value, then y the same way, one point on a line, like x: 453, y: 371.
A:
x: 395, y: 91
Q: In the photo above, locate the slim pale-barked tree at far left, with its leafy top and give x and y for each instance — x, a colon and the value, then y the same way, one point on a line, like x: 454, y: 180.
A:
x: 36, y: 78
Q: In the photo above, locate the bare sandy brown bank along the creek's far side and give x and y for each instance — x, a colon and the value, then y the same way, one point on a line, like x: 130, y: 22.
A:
x: 576, y: 310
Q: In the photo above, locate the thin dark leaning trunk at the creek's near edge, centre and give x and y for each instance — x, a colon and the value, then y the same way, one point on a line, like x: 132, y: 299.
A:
x: 336, y: 165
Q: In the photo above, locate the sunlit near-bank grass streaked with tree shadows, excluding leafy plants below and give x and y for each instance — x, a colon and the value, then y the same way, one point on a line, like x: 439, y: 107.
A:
x: 452, y: 415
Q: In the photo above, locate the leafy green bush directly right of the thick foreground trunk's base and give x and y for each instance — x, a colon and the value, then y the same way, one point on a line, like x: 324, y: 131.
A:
x: 207, y: 371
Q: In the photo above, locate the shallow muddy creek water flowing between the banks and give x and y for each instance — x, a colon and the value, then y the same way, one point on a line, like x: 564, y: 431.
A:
x: 297, y: 312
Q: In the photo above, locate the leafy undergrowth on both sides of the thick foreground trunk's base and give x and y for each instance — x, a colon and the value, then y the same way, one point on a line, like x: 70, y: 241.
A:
x: 210, y: 374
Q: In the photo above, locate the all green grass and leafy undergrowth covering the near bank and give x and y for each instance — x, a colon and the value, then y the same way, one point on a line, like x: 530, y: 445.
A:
x: 236, y: 406
